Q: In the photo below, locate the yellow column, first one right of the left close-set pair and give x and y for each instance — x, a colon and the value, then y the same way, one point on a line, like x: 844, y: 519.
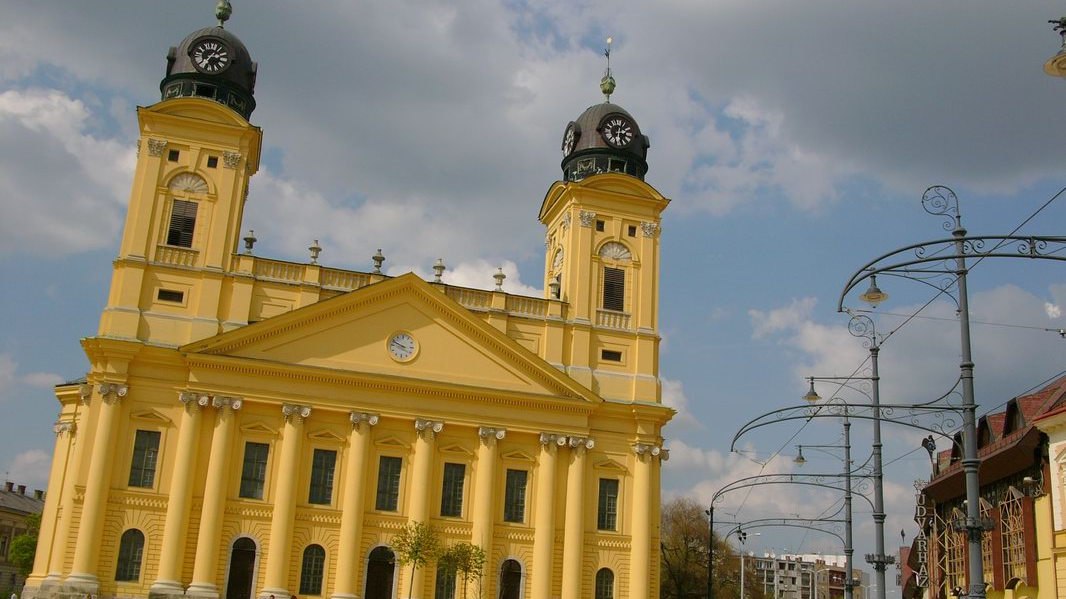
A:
x: 280, y: 547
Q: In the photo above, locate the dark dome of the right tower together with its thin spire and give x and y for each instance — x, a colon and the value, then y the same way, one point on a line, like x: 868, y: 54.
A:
x: 605, y: 139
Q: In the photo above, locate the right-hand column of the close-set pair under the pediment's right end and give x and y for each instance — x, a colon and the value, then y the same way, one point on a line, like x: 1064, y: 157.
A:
x: 574, y: 539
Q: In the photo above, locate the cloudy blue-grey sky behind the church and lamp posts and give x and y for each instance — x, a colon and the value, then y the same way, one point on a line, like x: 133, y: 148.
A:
x: 795, y: 139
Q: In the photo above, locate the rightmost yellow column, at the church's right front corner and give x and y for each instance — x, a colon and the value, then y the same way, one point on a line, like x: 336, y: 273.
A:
x: 640, y: 557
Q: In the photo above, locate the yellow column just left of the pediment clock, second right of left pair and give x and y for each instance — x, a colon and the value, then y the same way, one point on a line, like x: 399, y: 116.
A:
x: 352, y: 510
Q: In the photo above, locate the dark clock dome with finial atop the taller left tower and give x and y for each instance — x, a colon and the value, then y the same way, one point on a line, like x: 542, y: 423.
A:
x: 213, y: 64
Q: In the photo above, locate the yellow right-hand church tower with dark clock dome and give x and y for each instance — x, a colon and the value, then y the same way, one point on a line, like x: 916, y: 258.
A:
x: 603, y: 252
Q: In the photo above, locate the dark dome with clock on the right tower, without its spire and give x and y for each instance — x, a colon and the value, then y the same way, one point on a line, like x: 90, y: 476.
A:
x: 592, y: 142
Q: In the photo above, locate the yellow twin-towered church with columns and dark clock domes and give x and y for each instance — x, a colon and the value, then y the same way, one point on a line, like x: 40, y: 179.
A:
x: 255, y: 428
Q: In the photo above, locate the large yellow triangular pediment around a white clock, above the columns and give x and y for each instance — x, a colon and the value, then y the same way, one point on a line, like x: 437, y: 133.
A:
x: 351, y: 334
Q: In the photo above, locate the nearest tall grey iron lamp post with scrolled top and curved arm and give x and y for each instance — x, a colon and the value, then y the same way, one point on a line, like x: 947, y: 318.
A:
x: 933, y: 262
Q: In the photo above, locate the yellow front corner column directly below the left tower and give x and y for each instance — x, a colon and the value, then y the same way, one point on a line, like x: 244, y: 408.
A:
x: 87, y: 552
